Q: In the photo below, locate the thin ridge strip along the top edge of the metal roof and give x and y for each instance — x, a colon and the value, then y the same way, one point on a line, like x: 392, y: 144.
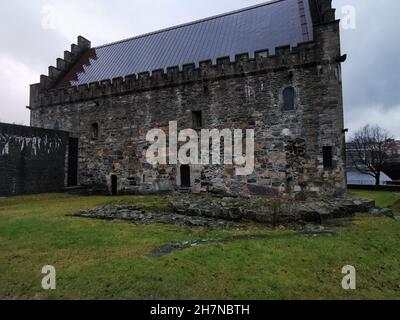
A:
x: 192, y: 23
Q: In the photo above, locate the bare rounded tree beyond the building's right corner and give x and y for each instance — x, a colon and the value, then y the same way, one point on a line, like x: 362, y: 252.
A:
x: 369, y: 150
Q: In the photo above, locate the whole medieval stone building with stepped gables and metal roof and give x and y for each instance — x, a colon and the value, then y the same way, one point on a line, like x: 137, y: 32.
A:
x: 274, y: 68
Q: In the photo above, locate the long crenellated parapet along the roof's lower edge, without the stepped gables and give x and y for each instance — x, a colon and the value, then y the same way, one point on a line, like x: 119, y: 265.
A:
x: 284, y: 58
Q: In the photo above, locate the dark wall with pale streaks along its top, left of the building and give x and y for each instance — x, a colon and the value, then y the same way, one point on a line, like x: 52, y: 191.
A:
x: 32, y: 160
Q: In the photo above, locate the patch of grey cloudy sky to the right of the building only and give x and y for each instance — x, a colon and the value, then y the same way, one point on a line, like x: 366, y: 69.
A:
x: 371, y: 74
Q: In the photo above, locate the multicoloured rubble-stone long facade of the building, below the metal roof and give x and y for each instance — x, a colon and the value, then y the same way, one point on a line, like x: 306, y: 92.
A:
x: 243, y: 94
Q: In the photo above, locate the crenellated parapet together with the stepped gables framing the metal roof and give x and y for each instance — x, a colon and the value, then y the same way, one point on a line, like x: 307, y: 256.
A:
x: 55, y: 88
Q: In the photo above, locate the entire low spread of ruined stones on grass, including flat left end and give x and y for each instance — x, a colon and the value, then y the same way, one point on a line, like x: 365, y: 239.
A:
x: 206, y: 211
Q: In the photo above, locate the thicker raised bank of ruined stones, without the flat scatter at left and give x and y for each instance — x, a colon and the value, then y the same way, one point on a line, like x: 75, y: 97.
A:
x: 270, y: 211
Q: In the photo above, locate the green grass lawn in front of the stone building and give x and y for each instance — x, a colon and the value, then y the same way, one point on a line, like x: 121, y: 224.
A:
x: 104, y: 260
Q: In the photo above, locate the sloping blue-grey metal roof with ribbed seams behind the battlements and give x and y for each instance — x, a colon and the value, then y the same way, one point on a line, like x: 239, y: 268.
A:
x: 265, y: 26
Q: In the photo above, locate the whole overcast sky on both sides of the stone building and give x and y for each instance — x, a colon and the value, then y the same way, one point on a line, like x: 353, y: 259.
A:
x: 34, y: 33
